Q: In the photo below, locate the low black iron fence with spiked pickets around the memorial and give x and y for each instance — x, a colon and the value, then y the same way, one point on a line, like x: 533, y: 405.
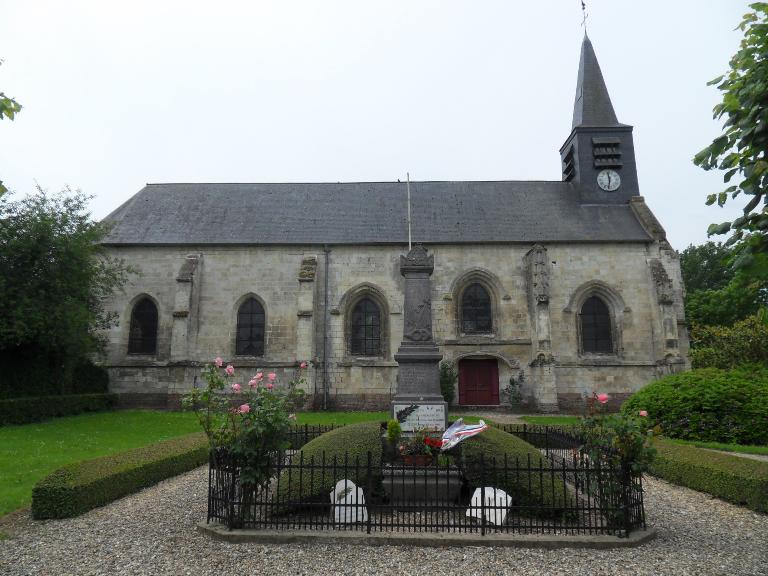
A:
x: 560, y: 492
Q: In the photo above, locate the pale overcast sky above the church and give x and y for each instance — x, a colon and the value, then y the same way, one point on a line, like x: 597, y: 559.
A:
x: 117, y: 94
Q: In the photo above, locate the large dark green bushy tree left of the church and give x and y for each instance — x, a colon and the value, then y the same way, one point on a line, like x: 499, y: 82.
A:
x: 54, y: 277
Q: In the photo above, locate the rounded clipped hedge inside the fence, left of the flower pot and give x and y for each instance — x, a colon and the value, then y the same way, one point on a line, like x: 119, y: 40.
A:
x: 356, y: 440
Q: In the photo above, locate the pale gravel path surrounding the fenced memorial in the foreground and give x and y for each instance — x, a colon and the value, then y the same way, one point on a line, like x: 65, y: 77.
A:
x: 153, y: 532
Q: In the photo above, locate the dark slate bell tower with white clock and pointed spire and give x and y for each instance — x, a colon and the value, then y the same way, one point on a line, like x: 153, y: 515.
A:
x: 599, y: 155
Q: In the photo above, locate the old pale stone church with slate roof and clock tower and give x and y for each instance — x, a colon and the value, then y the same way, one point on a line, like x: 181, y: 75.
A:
x: 553, y: 289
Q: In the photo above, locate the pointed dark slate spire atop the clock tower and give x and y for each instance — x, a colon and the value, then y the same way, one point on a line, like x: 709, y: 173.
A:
x: 593, y: 105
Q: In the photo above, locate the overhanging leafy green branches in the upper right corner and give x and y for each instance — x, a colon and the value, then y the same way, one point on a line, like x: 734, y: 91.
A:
x: 742, y: 148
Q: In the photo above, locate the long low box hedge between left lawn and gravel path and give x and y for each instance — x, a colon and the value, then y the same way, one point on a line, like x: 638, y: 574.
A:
x: 77, y: 488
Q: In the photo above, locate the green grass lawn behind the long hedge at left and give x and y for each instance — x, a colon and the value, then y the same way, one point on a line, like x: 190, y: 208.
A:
x: 32, y: 451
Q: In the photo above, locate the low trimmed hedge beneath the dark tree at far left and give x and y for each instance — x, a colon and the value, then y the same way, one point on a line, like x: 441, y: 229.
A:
x: 25, y: 410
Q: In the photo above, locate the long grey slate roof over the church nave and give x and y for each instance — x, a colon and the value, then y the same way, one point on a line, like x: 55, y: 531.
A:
x: 368, y: 213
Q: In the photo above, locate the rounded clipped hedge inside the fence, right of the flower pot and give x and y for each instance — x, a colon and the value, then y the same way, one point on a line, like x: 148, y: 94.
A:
x: 525, y: 488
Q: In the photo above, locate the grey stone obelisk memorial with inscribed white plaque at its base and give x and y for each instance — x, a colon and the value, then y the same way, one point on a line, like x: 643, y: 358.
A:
x: 418, y: 389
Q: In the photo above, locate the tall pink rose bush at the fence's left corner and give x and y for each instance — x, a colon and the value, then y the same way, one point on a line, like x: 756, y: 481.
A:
x: 256, y: 430
